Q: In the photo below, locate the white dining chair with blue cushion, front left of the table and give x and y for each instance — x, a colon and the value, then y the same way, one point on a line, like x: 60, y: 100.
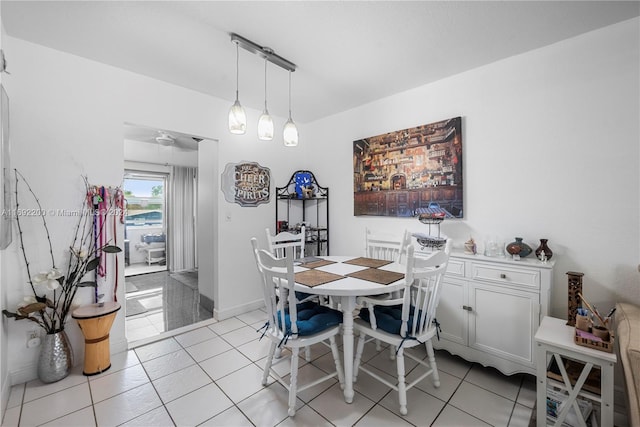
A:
x: 293, y: 325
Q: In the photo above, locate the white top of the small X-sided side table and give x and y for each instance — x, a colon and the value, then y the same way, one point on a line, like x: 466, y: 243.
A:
x: 555, y: 332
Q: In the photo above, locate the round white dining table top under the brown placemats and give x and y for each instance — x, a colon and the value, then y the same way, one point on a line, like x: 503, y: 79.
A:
x: 350, y: 286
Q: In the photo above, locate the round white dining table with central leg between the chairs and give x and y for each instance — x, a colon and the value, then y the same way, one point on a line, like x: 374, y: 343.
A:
x: 346, y: 290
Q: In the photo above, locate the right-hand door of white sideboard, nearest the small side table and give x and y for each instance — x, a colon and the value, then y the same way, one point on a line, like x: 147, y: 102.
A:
x: 503, y: 322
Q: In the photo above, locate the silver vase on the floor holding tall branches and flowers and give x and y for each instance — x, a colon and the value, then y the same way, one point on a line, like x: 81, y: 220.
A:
x: 56, y: 357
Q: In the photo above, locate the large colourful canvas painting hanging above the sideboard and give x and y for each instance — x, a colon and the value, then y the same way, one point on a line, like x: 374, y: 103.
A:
x: 410, y: 171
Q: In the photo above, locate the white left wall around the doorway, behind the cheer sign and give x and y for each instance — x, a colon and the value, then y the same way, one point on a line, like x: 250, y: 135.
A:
x: 67, y: 116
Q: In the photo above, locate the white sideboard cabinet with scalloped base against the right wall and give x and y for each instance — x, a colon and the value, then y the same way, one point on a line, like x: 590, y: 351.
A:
x: 490, y: 309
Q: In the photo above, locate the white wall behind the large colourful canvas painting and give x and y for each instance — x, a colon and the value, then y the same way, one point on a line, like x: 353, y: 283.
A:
x: 551, y: 150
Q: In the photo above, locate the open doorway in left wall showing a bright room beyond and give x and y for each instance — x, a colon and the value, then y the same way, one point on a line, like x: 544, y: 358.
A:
x: 161, y: 279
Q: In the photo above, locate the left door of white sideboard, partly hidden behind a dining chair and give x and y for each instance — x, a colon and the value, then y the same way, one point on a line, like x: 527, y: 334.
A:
x: 451, y: 313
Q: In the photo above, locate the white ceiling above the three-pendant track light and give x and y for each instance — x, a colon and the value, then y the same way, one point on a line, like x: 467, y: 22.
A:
x: 348, y: 53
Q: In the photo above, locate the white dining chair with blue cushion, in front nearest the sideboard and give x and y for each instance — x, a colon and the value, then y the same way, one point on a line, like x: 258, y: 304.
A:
x: 406, y: 322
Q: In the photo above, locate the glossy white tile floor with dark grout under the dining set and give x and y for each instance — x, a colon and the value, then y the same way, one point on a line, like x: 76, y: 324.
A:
x: 211, y: 376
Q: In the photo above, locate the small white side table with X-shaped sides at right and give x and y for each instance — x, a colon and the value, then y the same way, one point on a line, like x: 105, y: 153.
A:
x: 554, y: 338
